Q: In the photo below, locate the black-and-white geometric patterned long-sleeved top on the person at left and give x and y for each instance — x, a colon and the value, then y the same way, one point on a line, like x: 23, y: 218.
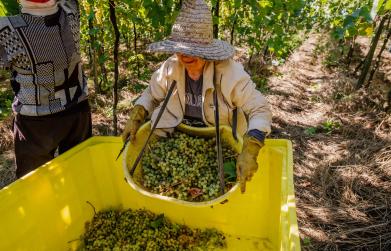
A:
x: 43, y: 54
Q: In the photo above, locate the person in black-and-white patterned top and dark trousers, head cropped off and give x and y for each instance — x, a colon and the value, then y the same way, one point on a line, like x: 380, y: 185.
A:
x: 40, y: 47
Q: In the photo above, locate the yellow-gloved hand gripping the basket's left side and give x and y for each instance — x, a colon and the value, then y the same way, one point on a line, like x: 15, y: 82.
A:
x: 136, y: 118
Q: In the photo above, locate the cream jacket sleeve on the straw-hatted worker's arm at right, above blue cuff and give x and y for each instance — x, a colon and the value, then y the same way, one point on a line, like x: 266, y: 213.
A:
x: 245, y: 96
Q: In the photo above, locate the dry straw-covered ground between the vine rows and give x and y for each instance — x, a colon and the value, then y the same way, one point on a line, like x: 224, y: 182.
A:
x: 342, y: 147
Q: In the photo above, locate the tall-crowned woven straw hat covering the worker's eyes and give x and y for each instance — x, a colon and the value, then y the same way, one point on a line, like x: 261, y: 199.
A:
x: 192, y: 34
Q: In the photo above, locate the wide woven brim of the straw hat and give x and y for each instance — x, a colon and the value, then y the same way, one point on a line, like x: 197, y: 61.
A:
x: 217, y: 50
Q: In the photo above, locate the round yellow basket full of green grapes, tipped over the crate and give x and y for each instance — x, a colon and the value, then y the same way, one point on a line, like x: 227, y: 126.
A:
x: 182, y: 168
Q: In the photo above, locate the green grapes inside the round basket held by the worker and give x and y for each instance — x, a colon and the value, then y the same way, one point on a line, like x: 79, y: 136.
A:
x: 185, y: 167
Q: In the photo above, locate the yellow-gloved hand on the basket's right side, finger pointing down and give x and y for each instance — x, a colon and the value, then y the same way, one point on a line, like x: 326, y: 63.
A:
x: 246, y: 164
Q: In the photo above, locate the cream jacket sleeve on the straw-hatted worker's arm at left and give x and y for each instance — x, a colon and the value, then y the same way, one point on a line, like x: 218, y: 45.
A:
x: 156, y: 91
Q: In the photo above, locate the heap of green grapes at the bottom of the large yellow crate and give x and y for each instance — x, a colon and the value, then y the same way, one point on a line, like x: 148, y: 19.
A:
x: 139, y: 230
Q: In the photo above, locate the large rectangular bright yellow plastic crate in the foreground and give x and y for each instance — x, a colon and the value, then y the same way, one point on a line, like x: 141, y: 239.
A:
x: 47, y: 209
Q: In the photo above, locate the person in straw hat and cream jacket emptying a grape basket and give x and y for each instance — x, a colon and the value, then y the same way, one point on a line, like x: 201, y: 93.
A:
x: 199, y: 62
